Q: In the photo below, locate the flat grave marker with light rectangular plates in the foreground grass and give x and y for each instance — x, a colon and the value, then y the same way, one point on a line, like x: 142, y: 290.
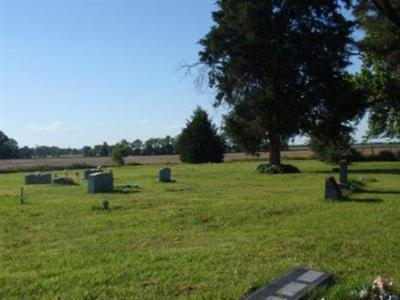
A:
x: 293, y: 286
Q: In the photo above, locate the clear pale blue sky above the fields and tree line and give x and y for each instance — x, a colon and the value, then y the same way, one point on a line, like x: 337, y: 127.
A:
x: 77, y: 73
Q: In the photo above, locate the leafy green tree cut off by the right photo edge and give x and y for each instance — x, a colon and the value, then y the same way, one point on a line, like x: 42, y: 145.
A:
x: 380, y: 20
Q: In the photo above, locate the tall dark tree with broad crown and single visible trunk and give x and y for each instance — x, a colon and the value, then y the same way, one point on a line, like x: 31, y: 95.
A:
x: 273, y: 62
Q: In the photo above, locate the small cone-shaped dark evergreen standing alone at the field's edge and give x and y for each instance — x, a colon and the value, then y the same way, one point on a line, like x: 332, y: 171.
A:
x: 199, y: 141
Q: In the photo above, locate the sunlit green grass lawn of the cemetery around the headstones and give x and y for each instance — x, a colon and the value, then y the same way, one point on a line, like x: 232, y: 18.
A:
x: 218, y: 232
